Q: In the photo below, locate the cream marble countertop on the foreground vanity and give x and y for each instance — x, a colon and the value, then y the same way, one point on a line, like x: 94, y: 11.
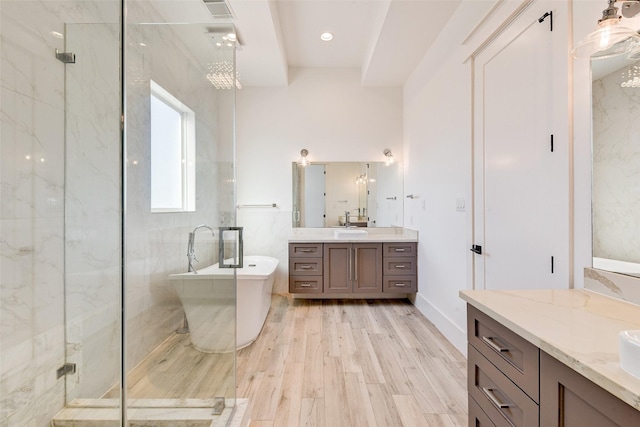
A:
x: 578, y: 327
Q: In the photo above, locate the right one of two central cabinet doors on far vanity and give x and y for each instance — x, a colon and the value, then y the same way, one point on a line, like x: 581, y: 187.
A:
x: 367, y: 267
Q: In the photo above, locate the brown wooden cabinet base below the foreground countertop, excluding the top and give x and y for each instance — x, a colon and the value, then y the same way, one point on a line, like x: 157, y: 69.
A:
x: 511, y: 382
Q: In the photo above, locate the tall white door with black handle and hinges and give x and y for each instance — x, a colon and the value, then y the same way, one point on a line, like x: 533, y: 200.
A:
x: 520, y: 184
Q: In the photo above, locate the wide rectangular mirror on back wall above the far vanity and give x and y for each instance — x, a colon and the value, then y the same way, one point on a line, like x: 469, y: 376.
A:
x: 370, y: 191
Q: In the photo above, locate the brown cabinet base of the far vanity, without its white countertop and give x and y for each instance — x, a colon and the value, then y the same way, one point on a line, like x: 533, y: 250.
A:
x: 353, y: 268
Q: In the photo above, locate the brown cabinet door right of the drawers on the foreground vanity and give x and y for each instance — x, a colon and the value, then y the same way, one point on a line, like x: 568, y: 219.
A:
x: 570, y: 400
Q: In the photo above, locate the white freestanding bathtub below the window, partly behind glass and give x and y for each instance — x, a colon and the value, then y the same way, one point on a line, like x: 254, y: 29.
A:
x: 209, y: 301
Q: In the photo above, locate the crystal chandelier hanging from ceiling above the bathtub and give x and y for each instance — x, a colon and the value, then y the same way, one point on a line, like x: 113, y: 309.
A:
x: 221, y: 72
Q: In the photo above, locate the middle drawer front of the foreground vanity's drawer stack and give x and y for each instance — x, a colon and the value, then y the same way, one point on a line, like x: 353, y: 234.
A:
x: 499, y: 398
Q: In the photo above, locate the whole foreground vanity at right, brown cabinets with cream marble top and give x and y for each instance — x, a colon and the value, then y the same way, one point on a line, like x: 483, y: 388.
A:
x: 549, y: 358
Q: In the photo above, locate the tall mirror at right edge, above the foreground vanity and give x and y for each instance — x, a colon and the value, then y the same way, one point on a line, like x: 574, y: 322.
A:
x: 616, y: 165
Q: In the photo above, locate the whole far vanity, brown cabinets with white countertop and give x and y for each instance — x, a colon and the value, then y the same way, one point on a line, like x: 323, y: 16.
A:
x: 377, y: 262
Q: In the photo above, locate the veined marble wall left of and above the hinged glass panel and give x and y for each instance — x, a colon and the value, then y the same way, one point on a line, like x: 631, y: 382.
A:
x: 32, y: 193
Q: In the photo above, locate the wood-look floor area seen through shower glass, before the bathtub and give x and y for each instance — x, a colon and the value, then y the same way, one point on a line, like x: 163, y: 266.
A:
x: 176, y: 370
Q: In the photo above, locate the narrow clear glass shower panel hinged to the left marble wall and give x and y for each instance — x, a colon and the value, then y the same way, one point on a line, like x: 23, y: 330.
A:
x: 92, y: 213
